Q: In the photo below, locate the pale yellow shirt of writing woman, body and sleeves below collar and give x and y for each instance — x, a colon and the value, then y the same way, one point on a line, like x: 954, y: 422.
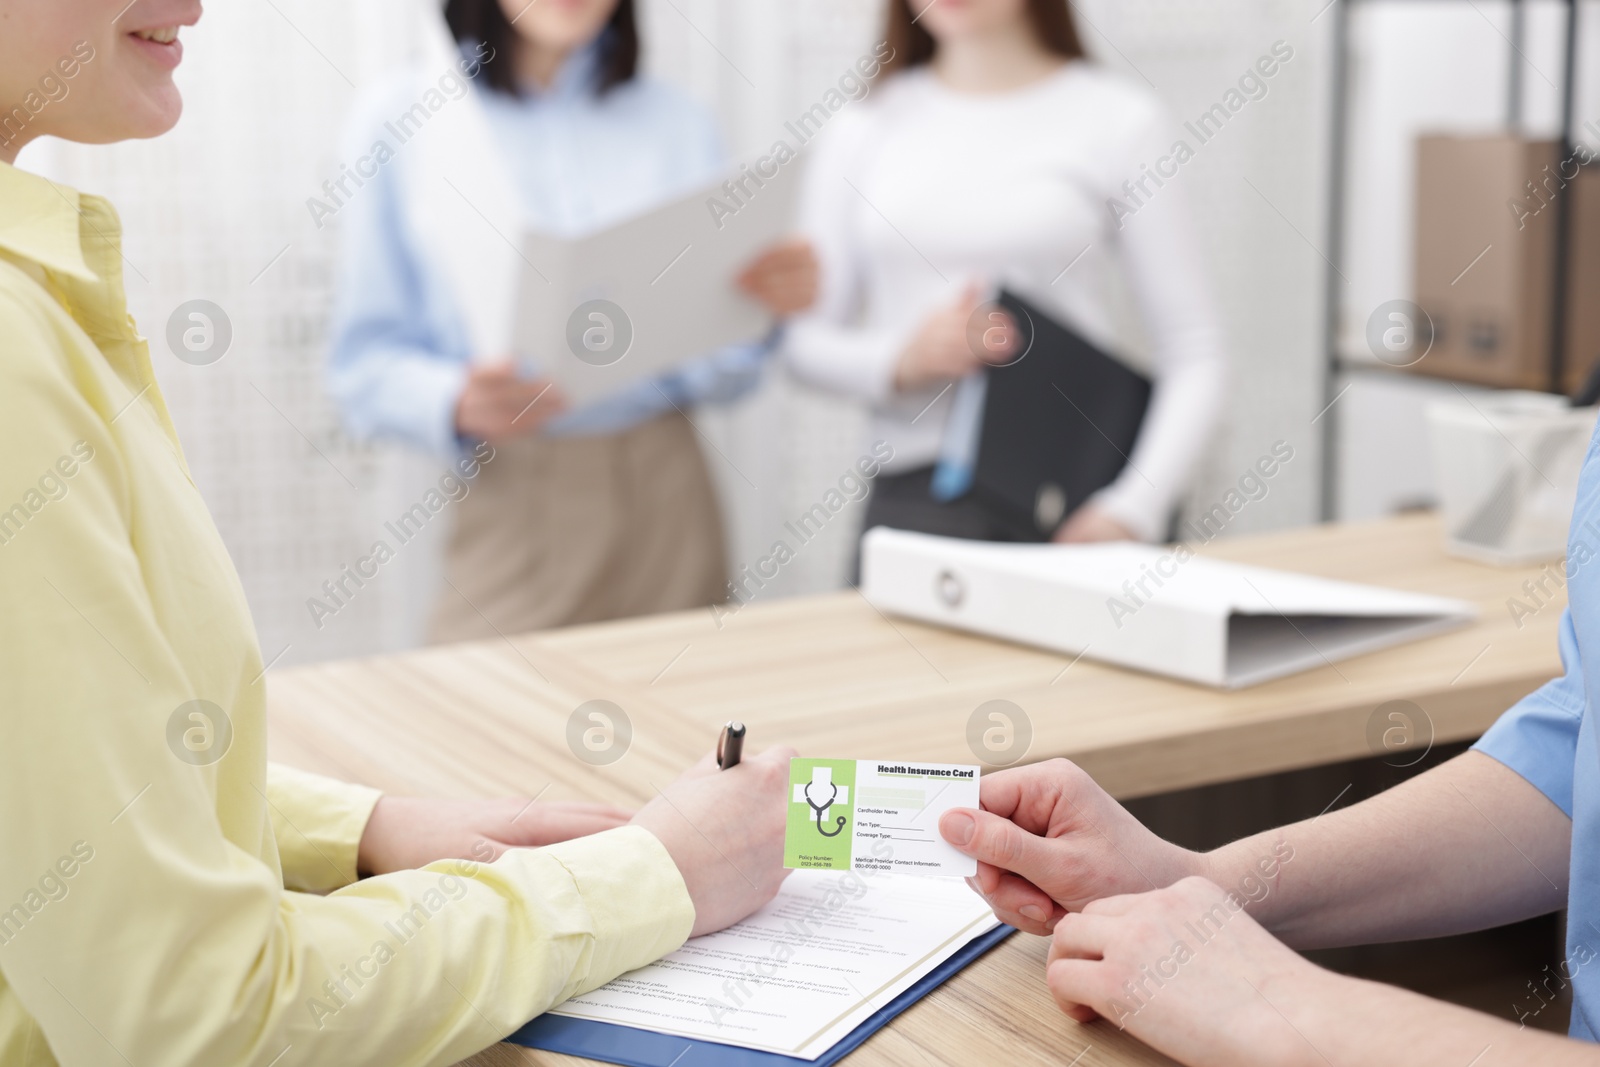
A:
x: 143, y: 916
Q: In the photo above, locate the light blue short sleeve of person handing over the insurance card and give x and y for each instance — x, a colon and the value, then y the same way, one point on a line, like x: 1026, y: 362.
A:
x: 1538, y: 737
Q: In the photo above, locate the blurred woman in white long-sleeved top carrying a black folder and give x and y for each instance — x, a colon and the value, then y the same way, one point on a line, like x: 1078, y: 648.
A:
x: 994, y: 153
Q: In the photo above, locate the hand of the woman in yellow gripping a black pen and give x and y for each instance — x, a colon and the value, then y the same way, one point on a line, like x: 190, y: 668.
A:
x: 726, y: 833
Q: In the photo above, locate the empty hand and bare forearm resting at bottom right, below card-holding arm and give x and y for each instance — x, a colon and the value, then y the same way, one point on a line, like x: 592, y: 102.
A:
x: 1191, y: 975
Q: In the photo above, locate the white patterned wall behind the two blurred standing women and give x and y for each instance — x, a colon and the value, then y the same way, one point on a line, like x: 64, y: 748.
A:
x: 217, y: 210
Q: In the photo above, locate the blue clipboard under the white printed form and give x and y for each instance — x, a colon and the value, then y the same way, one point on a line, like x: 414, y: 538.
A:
x: 647, y: 1049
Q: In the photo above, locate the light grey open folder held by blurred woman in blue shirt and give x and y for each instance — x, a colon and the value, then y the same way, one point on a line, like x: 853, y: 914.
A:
x: 671, y: 273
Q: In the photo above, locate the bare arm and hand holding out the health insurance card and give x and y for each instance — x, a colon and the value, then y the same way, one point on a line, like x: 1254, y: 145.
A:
x: 1465, y: 847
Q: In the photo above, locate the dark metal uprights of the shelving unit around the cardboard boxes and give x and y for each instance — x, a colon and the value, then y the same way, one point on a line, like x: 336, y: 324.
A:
x: 1338, y: 154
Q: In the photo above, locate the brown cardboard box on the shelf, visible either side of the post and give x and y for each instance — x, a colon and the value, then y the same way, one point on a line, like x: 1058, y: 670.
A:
x: 1486, y: 246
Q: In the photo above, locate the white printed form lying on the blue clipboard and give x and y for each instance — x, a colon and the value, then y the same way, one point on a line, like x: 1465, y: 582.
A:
x: 804, y: 972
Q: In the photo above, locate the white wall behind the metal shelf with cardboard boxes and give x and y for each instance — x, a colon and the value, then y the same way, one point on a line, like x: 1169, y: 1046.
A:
x: 1425, y: 68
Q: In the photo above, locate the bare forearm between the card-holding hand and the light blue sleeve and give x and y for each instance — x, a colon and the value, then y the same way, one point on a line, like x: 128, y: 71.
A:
x: 1463, y: 847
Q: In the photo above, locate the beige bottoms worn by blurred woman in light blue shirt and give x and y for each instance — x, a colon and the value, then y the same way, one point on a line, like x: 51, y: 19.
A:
x: 583, y: 529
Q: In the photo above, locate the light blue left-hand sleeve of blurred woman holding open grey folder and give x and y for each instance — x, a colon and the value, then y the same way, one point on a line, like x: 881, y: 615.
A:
x: 391, y: 370
